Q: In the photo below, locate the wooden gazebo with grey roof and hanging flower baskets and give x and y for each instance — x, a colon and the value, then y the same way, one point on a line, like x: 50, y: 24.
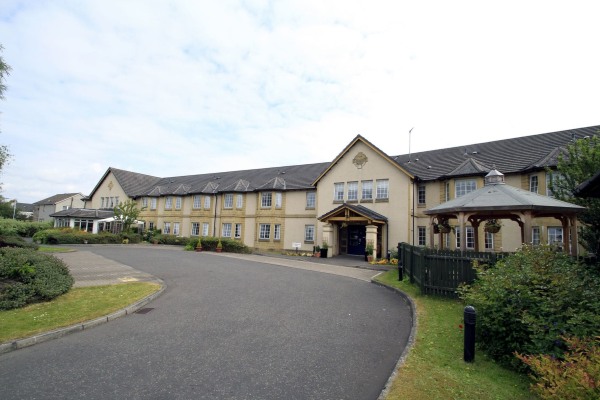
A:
x: 496, y: 200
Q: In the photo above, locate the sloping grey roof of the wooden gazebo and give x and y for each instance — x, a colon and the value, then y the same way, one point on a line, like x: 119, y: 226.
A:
x: 502, y: 197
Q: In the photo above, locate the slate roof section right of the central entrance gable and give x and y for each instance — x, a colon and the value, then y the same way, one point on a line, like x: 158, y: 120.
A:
x: 509, y: 156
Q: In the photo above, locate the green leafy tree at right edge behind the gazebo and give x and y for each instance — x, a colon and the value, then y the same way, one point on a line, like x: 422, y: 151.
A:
x: 581, y: 162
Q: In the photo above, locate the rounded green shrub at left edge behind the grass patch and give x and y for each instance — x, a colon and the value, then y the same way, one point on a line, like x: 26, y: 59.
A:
x: 27, y: 276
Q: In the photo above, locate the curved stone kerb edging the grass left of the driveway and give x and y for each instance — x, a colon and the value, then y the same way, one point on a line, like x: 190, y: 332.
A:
x: 57, y: 333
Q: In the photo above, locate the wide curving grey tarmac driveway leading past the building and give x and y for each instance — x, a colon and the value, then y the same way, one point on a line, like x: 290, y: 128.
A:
x: 225, y: 328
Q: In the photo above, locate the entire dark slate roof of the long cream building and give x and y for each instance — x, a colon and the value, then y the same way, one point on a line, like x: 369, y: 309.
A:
x: 510, y: 156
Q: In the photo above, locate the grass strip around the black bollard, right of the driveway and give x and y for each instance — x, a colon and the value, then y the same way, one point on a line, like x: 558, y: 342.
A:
x: 435, y: 368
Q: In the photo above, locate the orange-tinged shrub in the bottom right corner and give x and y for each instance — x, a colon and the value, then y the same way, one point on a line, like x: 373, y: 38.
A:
x: 577, y: 376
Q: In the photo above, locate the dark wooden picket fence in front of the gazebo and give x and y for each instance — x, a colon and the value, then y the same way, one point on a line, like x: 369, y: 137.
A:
x: 440, y: 272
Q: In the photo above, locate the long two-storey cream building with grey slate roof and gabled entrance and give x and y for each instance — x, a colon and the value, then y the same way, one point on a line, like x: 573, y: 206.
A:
x: 363, y: 195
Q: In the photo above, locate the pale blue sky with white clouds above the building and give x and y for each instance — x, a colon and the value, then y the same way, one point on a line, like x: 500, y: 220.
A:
x: 170, y: 88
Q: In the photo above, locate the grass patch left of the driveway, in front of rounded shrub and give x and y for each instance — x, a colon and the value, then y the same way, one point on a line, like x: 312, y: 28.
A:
x: 78, y: 305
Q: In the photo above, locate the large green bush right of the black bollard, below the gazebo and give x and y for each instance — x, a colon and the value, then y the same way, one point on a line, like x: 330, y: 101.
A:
x: 529, y: 300
